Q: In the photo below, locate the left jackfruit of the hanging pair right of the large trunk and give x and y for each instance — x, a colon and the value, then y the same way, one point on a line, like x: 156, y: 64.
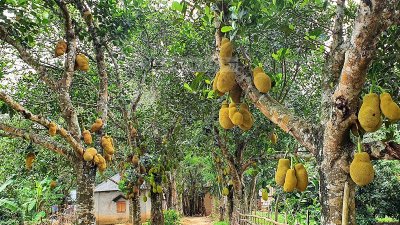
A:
x: 369, y: 115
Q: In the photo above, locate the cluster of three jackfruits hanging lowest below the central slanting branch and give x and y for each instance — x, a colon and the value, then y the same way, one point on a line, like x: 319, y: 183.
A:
x: 230, y: 116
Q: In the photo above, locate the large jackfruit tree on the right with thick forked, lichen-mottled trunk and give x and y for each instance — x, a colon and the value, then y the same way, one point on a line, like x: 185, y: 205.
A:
x: 343, y: 78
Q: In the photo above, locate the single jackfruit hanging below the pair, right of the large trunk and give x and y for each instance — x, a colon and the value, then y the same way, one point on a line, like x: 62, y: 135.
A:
x: 361, y: 169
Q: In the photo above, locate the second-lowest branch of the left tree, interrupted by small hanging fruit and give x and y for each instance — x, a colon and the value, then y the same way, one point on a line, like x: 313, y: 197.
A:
x: 42, y: 121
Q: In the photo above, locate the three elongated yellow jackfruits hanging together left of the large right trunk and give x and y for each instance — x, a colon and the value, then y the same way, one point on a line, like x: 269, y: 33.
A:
x: 291, y: 179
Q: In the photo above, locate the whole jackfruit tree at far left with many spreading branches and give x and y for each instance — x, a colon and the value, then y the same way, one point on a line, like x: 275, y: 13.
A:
x: 60, y: 127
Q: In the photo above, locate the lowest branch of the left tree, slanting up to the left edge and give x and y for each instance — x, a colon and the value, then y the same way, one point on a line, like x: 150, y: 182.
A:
x: 42, y: 141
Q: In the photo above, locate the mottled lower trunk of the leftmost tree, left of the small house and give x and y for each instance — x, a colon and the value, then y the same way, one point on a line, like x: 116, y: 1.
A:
x: 85, y: 186
